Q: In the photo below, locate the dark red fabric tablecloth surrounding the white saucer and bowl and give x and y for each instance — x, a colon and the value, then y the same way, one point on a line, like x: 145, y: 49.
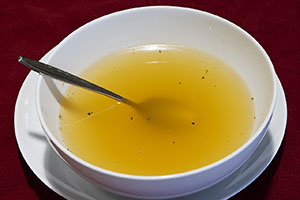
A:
x: 32, y: 28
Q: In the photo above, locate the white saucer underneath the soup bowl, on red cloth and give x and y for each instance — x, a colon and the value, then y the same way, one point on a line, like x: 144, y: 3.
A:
x: 59, y: 177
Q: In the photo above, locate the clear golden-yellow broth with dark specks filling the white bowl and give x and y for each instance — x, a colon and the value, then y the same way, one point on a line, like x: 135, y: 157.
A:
x: 194, y: 110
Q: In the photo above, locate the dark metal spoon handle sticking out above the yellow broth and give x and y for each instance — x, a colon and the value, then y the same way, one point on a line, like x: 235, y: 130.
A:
x: 66, y: 77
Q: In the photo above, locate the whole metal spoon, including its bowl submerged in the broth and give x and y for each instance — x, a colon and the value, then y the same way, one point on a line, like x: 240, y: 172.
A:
x: 165, y: 109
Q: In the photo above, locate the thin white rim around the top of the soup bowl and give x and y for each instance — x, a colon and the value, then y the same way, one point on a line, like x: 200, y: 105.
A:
x: 51, y: 137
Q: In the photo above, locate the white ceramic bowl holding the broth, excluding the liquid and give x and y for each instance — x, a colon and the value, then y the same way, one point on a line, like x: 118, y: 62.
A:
x: 171, y: 25
